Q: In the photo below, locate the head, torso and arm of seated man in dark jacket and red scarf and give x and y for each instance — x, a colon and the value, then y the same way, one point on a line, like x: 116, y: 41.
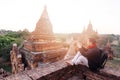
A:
x: 92, y: 53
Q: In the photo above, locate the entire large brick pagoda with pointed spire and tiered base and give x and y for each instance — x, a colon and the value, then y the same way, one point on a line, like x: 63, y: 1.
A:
x: 42, y: 47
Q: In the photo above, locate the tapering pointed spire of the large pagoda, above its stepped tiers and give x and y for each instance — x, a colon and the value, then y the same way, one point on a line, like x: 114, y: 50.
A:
x: 43, y: 27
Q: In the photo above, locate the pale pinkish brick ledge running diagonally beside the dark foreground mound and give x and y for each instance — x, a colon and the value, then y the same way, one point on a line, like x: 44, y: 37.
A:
x: 37, y: 72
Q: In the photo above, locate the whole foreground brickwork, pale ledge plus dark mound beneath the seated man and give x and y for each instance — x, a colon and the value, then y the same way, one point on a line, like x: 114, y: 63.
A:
x: 61, y: 71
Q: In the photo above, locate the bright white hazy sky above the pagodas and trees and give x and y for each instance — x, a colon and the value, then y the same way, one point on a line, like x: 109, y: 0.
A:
x: 67, y: 16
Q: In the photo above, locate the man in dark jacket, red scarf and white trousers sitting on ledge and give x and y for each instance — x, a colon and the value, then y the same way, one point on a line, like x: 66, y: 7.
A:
x: 90, y: 56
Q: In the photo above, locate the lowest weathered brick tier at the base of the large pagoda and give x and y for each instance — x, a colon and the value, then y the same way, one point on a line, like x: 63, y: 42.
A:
x: 33, y: 58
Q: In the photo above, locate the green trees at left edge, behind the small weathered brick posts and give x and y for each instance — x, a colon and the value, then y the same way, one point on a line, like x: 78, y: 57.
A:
x: 8, y: 39
